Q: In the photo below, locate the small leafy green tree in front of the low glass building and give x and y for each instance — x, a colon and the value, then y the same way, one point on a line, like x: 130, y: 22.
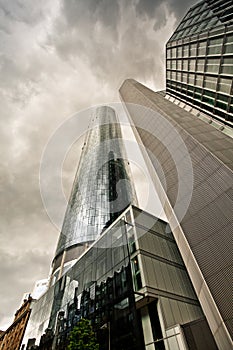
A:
x: 82, y: 337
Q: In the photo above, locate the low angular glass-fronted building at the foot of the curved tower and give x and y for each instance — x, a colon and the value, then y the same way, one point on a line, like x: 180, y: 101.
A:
x: 131, y: 284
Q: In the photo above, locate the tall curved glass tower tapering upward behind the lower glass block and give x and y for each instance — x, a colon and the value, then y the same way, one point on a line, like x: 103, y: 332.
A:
x: 101, y: 191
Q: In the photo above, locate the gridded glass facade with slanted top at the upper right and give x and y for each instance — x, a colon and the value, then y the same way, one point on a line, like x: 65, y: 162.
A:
x: 200, y: 59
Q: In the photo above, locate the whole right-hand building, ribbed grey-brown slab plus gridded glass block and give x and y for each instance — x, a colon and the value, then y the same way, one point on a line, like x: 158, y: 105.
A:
x: 187, y: 135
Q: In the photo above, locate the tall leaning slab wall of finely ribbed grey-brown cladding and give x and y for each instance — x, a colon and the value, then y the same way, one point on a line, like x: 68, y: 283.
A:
x: 208, y: 222
